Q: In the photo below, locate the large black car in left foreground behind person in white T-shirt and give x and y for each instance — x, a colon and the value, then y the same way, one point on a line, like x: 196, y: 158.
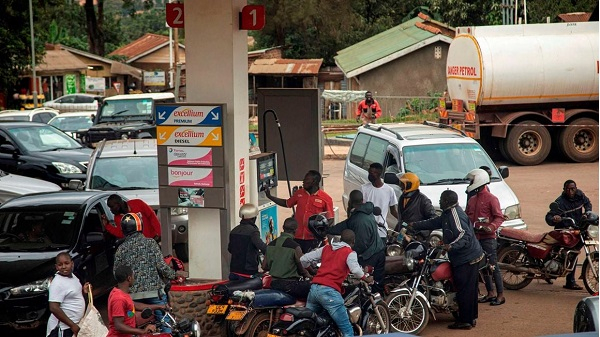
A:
x: 71, y: 222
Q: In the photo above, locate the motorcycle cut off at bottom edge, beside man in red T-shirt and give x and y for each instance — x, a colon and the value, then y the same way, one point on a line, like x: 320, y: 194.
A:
x: 182, y: 328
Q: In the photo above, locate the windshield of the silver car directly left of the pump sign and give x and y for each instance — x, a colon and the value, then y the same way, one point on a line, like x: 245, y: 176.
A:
x: 125, y: 173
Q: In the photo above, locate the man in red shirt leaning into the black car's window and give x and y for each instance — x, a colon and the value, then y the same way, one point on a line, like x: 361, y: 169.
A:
x: 119, y: 207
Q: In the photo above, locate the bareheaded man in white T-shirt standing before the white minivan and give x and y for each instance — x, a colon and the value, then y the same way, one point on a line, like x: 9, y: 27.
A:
x: 382, y: 196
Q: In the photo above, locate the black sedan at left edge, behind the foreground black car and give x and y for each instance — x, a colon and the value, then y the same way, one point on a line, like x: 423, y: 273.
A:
x: 41, y: 151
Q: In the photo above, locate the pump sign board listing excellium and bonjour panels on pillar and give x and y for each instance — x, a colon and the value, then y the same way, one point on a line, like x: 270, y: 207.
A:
x: 191, y: 154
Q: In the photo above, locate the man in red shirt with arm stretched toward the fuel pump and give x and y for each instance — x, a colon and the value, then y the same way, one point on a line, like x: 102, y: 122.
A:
x: 309, y: 200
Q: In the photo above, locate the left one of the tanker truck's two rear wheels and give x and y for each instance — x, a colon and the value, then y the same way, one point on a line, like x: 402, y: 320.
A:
x: 528, y: 143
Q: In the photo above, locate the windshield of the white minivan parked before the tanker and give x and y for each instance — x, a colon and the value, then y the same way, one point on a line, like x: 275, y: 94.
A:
x: 446, y: 163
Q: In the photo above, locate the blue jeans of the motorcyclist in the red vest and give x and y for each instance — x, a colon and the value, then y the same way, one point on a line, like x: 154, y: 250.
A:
x: 323, y: 297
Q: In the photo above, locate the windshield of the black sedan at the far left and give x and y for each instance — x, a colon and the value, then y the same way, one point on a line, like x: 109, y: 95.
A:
x: 42, y: 138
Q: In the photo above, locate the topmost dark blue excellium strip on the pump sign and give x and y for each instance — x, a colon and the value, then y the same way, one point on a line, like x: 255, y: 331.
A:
x: 189, y: 115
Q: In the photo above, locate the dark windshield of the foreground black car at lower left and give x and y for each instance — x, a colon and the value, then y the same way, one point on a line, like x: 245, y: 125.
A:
x: 37, y: 230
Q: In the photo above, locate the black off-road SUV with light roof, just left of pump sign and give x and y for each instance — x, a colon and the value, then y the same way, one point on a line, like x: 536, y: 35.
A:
x: 126, y: 117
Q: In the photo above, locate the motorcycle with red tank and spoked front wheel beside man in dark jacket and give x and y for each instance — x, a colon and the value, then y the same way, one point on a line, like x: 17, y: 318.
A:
x: 429, y: 290
